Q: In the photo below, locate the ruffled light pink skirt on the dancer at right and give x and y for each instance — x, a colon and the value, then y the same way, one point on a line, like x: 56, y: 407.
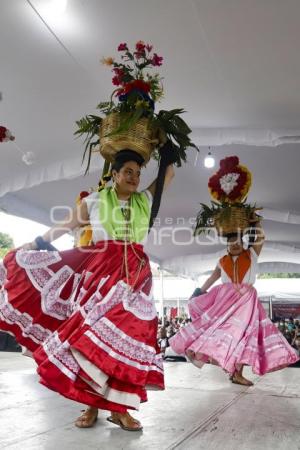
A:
x: 230, y: 328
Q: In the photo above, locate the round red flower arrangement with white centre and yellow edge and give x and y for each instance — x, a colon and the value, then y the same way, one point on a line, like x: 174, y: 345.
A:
x: 232, y: 181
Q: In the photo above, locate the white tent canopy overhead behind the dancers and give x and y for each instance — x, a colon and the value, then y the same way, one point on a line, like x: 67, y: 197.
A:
x: 232, y: 65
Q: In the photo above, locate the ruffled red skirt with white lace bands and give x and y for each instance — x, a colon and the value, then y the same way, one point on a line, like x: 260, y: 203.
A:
x: 91, y: 324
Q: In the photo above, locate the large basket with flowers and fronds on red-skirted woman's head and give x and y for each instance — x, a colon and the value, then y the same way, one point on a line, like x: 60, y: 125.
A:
x: 129, y: 120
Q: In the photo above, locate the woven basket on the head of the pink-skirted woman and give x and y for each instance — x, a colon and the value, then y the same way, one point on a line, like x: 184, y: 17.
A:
x: 233, y: 220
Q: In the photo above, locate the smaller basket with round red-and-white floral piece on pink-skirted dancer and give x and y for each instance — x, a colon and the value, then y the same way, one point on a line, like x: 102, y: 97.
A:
x: 229, y: 211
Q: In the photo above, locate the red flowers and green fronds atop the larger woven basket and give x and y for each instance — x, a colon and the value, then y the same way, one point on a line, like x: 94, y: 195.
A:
x: 137, y: 89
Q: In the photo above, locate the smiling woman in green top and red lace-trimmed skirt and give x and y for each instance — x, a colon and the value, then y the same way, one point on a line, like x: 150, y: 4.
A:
x: 87, y: 314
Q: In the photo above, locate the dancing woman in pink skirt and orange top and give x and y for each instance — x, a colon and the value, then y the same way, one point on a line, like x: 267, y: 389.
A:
x: 229, y: 325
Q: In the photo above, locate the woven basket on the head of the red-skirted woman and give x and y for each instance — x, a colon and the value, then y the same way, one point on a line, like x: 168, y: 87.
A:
x: 138, y: 138
